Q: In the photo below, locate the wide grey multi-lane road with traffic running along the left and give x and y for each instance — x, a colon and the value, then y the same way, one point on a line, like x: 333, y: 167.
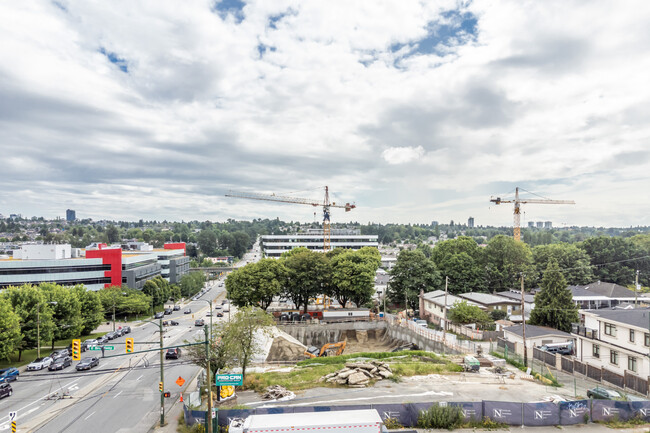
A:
x: 121, y: 394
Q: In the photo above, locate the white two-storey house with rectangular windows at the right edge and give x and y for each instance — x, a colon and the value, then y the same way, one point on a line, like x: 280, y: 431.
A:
x: 615, y: 339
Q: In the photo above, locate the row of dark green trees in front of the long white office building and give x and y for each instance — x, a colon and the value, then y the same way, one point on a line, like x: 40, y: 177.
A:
x: 301, y: 274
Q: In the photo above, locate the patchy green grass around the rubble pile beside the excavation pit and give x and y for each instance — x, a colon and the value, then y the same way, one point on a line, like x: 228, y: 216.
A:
x: 308, y: 372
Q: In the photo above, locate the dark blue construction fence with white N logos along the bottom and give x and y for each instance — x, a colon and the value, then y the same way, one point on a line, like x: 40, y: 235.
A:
x: 511, y: 413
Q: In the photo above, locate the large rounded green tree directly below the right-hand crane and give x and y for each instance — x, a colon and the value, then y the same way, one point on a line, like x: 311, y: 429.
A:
x: 505, y: 260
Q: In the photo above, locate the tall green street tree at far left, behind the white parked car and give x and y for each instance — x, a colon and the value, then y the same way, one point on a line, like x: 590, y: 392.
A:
x: 26, y: 301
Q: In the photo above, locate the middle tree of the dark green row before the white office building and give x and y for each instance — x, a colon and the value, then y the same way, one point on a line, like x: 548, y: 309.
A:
x: 306, y: 275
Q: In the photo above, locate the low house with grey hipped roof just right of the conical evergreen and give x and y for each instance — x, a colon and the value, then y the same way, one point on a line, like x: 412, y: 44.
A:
x: 602, y: 295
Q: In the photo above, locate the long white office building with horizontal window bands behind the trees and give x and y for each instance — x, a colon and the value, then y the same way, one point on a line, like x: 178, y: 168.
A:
x: 275, y: 245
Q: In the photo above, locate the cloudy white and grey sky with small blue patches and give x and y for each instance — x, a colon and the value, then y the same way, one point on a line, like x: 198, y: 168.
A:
x: 413, y: 110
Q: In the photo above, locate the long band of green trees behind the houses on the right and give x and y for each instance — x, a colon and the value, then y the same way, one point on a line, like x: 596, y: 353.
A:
x: 499, y: 265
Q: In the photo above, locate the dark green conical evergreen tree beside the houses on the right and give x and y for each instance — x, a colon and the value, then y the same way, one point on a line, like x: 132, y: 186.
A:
x: 554, y: 305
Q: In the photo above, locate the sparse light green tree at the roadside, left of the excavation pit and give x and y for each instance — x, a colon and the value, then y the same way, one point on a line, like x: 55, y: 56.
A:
x: 242, y: 334
